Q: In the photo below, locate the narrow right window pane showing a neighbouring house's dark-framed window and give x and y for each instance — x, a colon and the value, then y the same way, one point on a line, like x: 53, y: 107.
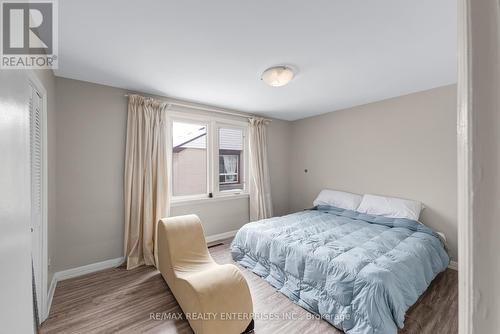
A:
x: 230, y: 159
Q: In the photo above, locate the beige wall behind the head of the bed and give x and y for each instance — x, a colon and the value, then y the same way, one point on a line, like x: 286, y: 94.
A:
x: 403, y: 147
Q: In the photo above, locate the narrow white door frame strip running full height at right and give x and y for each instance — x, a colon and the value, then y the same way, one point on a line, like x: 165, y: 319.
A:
x: 465, y: 185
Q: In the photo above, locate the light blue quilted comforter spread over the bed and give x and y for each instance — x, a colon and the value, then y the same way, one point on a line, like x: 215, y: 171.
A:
x: 359, y: 272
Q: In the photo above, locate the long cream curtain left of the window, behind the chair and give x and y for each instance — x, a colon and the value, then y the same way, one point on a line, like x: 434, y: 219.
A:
x: 146, y: 182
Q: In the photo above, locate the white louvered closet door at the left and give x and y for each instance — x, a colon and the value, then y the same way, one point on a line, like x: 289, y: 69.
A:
x: 35, y: 106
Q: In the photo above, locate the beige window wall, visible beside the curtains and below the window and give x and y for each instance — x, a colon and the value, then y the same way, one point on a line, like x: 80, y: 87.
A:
x: 91, y: 123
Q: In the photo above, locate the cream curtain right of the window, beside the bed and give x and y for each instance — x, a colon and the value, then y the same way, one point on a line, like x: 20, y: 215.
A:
x: 260, y: 186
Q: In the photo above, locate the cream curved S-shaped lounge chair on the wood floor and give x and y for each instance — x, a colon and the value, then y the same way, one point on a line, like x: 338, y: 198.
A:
x: 215, y: 298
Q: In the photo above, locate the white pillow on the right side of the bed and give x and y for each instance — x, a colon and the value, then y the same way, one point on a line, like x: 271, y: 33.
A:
x: 391, y: 207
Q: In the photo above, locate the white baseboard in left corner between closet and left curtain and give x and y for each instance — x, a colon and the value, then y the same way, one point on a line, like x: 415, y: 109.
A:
x: 78, y: 271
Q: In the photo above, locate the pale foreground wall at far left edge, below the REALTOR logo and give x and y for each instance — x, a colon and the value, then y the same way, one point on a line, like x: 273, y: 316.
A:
x: 16, y: 303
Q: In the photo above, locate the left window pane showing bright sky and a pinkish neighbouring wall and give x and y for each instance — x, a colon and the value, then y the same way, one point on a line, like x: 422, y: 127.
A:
x: 189, y: 159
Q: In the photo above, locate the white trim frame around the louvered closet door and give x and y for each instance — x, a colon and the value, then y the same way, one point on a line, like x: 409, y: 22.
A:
x: 43, y: 298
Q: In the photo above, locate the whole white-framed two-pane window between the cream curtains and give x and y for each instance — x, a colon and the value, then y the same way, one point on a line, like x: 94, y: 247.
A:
x: 208, y: 157
